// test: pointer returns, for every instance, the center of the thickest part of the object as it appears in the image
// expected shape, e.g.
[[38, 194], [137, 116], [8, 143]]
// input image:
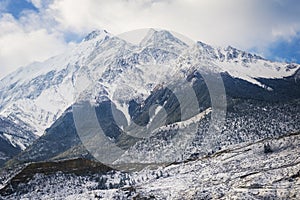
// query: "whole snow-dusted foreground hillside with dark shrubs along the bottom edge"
[[267, 169]]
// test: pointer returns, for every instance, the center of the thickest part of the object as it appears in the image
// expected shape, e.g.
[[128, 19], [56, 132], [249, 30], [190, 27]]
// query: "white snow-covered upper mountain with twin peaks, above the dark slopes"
[[39, 93]]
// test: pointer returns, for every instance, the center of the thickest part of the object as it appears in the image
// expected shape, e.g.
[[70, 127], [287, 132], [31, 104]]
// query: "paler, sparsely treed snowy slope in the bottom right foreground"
[[244, 171]]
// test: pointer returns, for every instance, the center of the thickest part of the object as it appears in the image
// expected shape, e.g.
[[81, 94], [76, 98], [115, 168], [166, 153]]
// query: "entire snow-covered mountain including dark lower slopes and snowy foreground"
[[117, 77]]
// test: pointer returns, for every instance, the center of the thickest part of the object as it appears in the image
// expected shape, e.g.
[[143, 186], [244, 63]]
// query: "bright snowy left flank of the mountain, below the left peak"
[[37, 94]]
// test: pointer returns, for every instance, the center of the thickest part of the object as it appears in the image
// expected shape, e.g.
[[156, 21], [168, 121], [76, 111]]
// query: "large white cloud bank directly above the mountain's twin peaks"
[[238, 22]]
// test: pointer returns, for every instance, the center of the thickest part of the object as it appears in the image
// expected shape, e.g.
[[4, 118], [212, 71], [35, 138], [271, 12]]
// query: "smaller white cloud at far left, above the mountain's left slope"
[[22, 44]]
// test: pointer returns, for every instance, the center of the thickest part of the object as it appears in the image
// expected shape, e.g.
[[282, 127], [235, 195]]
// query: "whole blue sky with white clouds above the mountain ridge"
[[34, 30]]
